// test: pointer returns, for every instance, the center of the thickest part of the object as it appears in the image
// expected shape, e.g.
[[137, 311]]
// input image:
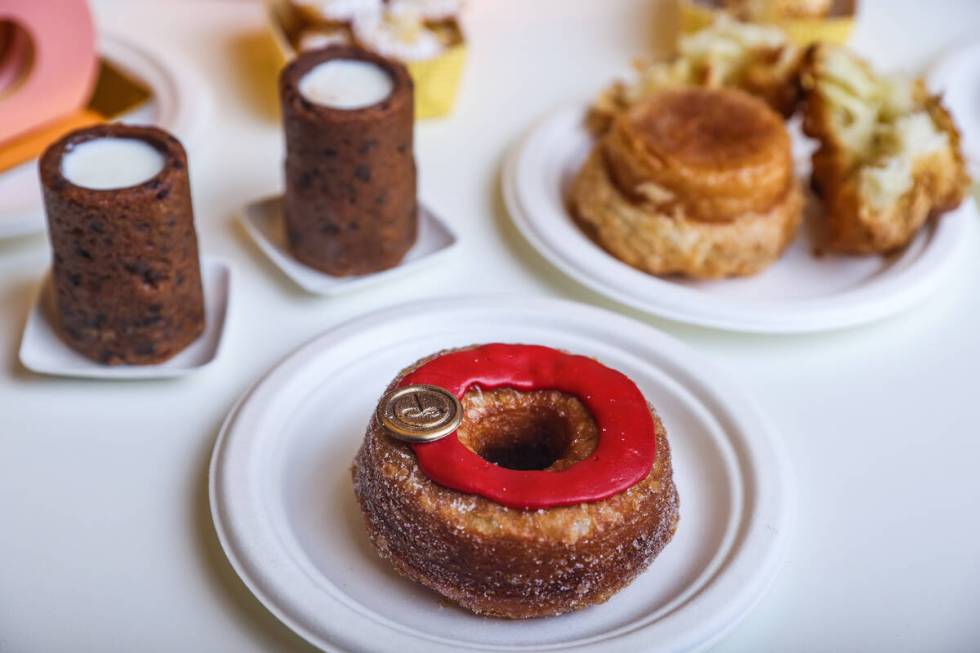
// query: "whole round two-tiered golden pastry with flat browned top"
[[694, 182]]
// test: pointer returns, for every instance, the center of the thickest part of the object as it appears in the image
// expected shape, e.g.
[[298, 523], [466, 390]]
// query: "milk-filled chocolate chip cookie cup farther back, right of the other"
[[350, 202]]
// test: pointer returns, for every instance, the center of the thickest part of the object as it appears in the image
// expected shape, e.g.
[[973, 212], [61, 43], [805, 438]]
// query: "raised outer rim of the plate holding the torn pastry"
[[844, 310]]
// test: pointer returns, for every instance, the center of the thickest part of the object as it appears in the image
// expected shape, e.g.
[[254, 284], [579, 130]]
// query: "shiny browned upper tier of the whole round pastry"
[[713, 154]]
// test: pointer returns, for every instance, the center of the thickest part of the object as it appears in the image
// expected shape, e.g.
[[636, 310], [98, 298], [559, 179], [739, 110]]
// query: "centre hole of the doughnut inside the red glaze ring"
[[538, 430]]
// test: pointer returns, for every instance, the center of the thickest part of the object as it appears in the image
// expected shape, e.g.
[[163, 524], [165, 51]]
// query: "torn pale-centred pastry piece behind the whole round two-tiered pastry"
[[758, 59]]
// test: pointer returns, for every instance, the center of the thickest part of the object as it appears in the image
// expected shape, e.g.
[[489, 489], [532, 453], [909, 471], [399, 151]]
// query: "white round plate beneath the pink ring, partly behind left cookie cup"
[[179, 104]]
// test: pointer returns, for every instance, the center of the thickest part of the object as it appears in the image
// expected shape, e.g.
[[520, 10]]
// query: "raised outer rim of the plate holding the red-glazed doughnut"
[[766, 507]]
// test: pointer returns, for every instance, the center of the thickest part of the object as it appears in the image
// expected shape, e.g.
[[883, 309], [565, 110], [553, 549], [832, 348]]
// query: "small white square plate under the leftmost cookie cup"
[[42, 351]]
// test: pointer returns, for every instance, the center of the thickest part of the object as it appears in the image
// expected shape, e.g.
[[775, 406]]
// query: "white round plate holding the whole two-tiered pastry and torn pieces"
[[800, 293]]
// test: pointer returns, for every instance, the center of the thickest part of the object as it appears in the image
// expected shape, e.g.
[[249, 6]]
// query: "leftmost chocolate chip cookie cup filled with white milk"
[[126, 279]]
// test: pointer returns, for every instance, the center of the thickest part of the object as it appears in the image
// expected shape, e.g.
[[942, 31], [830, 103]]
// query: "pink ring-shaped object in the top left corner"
[[57, 46]]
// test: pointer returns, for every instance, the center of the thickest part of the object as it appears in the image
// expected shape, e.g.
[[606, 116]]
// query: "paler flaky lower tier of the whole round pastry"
[[674, 244]]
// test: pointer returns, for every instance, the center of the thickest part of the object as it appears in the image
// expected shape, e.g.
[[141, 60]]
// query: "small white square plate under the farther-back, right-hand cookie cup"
[[263, 222]]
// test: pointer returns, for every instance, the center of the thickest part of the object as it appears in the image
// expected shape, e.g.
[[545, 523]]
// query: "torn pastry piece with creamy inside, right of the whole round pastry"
[[889, 155]]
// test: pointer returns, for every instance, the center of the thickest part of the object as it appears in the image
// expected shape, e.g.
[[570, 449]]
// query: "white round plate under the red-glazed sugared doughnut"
[[286, 515]]
